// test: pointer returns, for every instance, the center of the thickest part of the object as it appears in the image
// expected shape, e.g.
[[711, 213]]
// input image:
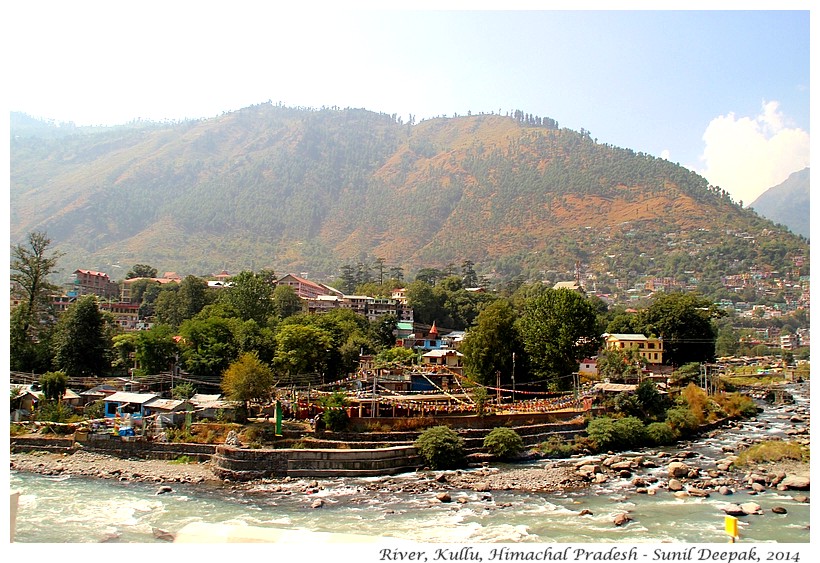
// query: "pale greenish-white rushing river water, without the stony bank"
[[77, 510]]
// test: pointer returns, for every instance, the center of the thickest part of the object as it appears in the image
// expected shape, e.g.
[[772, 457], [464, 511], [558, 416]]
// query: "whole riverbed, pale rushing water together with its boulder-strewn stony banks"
[[676, 494]]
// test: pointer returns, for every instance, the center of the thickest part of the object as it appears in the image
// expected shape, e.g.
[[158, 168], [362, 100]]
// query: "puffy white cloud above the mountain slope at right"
[[748, 155]]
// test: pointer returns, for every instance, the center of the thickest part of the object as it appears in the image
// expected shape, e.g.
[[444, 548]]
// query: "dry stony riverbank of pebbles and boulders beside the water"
[[683, 470]]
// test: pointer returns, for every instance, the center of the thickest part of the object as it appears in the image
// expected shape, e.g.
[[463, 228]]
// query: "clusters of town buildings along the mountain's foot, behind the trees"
[[759, 294]]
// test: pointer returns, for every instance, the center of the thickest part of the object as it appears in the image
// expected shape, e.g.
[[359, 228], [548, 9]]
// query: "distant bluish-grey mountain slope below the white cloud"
[[788, 203]]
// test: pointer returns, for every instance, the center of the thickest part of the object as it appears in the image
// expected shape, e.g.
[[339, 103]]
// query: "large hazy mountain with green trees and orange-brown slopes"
[[296, 189]]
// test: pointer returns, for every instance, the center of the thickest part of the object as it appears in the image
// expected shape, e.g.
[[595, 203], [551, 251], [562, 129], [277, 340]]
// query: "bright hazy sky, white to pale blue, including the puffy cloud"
[[725, 93]]
